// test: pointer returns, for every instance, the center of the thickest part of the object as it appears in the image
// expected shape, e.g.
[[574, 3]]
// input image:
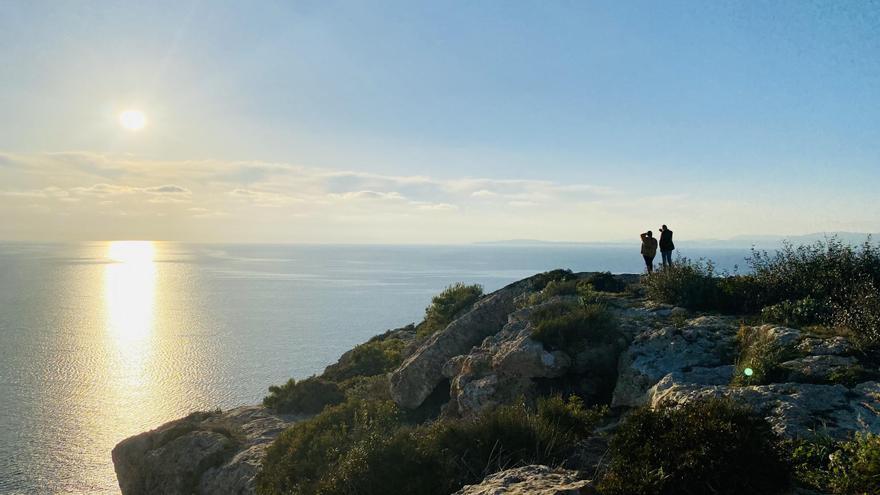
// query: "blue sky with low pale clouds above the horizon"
[[437, 122]]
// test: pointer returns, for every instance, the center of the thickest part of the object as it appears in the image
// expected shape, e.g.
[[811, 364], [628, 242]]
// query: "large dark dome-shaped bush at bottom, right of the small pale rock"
[[712, 446]]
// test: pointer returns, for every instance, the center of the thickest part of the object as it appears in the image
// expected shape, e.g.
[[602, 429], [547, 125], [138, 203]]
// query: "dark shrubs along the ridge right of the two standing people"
[[828, 282]]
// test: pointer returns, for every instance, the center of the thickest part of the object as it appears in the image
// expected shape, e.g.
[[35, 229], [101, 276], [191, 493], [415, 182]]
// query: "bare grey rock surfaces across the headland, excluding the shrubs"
[[661, 356]]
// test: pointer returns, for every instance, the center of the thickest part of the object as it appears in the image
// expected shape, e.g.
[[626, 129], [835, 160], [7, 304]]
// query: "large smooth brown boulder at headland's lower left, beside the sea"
[[205, 452]]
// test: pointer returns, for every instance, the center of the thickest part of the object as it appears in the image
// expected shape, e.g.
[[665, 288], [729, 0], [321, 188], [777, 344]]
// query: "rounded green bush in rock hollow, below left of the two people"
[[569, 327]]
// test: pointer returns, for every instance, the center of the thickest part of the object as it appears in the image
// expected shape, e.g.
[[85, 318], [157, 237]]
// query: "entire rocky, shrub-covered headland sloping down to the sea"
[[684, 381]]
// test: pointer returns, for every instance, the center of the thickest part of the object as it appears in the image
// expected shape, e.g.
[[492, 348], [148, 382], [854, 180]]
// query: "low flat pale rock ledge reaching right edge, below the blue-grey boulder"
[[794, 410]]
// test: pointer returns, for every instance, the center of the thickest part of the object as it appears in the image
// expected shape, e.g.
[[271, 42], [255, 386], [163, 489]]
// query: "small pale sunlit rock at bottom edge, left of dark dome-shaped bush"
[[531, 480]]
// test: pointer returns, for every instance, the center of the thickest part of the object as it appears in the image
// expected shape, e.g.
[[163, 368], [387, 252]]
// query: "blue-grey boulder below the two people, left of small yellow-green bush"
[[702, 343]]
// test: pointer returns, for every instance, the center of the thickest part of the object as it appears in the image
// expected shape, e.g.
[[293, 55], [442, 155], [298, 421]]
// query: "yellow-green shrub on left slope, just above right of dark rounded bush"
[[377, 356]]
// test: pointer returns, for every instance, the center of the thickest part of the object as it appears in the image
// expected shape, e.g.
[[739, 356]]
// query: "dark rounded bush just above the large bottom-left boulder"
[[309, 396]]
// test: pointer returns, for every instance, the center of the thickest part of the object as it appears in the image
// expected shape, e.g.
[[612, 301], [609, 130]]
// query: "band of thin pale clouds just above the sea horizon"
[[75, 196]]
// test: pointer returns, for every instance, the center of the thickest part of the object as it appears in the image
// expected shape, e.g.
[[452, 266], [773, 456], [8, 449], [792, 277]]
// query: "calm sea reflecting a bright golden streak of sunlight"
[[99, 341]]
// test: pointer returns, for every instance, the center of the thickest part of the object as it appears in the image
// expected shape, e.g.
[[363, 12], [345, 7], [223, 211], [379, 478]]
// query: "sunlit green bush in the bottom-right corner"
[[848, 467]]
